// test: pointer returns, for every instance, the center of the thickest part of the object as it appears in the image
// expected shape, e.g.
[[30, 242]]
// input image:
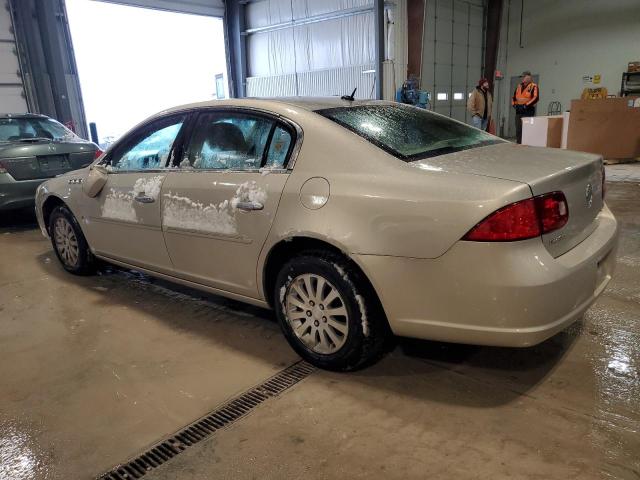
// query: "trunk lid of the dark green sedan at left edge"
[[44, 159]]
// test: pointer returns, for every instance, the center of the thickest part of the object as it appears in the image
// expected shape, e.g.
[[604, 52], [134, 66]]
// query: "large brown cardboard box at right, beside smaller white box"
[[610, 127]]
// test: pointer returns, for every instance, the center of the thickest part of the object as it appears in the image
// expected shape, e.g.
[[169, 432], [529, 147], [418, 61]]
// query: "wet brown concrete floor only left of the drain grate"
[[93, 369]]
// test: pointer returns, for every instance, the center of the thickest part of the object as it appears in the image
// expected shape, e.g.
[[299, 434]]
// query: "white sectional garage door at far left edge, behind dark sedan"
[[12, 97]]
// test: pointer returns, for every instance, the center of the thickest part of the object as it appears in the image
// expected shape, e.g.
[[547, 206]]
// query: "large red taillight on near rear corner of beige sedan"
[[521, 220]]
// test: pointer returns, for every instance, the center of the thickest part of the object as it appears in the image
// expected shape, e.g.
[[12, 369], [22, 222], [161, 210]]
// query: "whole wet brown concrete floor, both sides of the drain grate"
[[95, 369]]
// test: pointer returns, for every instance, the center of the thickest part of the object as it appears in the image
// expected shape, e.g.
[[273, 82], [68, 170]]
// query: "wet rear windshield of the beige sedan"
[[409, 133]]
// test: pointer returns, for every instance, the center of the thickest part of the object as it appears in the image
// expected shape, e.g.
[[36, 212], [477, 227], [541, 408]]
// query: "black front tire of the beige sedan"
[[83, 262]]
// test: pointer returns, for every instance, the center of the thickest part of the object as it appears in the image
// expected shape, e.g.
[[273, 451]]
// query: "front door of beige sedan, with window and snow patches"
[[123, 222]]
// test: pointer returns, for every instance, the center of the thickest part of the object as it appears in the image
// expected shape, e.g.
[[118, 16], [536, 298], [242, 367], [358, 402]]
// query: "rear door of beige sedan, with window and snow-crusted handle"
[[219, 205]]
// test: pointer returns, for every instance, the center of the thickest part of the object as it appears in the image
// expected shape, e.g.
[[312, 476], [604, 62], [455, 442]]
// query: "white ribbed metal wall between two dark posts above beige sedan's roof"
[[302, 47]]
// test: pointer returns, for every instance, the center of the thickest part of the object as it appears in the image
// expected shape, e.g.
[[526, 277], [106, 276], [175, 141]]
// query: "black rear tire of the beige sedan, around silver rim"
[[368, 331]]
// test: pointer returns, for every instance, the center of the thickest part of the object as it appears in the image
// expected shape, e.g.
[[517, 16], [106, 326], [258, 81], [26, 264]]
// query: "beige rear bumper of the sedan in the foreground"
[[503, 294]]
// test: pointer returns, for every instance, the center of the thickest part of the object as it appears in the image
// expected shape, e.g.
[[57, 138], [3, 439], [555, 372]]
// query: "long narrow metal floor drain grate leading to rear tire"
[[165, 450]]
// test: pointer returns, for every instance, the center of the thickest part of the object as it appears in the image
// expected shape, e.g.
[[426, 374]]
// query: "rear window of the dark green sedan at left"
[[29, 129]]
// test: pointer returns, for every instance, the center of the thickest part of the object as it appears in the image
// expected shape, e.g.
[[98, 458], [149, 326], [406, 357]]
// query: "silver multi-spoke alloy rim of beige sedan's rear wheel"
[[317, 313]]
